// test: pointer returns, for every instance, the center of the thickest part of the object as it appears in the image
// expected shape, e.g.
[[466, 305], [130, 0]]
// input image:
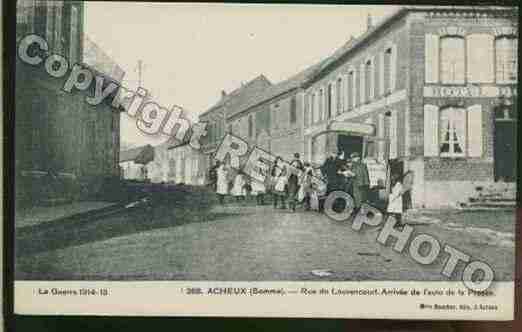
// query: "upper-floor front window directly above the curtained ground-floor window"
[[452, 50]]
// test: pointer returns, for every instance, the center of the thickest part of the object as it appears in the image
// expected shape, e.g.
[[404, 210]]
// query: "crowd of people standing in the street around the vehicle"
[[292, 183]]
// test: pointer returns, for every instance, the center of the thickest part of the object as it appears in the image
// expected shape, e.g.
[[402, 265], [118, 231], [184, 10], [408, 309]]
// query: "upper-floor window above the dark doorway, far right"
[[506, 49]]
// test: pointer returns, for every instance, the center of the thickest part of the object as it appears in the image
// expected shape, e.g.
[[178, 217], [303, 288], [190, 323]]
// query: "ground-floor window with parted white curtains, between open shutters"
[[452, 132]]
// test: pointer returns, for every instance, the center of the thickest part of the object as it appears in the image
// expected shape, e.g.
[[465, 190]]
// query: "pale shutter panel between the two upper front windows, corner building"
[[480, 58]]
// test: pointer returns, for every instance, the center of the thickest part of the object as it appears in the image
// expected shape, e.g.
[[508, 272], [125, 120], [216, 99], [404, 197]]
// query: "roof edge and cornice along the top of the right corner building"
[[354, 43]]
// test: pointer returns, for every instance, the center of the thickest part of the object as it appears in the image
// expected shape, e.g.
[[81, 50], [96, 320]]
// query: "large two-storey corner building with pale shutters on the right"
[[438, 85]]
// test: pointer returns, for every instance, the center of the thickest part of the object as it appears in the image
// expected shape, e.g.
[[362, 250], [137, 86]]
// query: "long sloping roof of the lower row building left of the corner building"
[[246, 102]]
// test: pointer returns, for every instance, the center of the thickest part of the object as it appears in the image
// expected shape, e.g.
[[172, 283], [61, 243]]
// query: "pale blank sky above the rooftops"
[[190, 52]]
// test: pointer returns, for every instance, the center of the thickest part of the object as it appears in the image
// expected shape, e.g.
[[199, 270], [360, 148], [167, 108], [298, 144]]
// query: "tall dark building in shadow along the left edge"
[[56, 131]]
